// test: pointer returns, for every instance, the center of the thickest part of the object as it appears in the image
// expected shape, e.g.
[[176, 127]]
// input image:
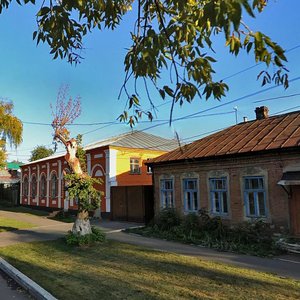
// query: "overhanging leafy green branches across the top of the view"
[[176, 36]]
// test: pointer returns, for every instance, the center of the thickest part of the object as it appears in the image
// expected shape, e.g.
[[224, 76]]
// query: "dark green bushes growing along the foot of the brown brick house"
[[255, 237]]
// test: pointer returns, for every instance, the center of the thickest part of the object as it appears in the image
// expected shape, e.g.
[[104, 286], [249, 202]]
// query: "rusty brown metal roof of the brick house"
[[272, 133]]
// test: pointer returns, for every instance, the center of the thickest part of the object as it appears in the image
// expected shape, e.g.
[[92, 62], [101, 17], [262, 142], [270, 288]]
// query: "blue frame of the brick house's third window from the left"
[[220, 191]]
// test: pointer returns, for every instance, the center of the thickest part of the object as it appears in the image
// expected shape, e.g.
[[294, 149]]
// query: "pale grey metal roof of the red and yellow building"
[[133, 140]]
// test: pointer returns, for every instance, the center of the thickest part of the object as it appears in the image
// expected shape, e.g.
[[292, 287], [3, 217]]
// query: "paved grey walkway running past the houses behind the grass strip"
[[286, 266]]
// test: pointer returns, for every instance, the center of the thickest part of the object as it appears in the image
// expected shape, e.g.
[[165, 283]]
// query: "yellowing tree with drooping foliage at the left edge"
[[11, 129]]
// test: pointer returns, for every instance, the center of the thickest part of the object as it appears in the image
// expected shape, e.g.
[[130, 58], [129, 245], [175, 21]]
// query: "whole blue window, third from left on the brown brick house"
[[218, 195]]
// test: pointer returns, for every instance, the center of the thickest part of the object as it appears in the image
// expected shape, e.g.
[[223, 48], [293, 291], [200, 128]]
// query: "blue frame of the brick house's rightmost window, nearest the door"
[[255, 192]]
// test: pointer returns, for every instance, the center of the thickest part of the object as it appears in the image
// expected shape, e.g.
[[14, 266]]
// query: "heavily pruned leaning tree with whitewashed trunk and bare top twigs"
[[80, 185]]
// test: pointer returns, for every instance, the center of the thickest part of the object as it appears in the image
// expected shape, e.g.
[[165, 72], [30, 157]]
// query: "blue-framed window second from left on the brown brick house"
[[190, 195]]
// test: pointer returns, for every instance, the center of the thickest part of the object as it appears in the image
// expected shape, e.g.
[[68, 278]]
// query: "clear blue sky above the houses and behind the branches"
[[31, 79]]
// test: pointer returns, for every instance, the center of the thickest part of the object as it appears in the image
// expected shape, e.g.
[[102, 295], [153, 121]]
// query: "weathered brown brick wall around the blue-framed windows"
[[271, 166]]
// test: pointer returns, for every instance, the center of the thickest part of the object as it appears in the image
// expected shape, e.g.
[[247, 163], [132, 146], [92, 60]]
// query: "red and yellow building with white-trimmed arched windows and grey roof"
[[118, 161]]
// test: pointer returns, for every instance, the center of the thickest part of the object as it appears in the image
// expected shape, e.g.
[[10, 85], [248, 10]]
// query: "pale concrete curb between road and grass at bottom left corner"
[[25, 282]]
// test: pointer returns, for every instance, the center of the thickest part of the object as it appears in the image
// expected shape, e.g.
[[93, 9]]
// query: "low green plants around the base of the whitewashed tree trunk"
[[85, 240]]
